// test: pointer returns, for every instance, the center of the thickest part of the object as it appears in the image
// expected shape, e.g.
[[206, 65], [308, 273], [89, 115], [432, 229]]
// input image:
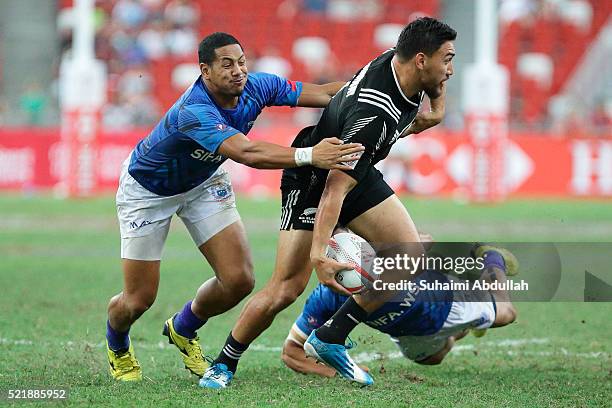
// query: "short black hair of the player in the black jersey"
[[424, 35]]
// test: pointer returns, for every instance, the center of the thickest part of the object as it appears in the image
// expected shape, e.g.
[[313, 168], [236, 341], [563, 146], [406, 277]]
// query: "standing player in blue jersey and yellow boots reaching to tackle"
[[175, 170]]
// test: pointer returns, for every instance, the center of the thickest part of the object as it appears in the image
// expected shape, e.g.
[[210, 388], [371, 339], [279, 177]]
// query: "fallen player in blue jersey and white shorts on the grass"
[[424, 324]]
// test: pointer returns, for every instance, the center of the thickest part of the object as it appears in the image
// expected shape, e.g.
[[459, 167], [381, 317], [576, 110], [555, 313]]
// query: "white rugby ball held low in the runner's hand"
[[349, 248]]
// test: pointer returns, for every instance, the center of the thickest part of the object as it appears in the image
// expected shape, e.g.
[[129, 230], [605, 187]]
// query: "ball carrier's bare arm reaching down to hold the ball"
[[337, 186]]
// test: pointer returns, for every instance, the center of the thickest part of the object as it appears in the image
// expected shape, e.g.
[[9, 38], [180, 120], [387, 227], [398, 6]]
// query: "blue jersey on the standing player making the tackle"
[[181, 151]]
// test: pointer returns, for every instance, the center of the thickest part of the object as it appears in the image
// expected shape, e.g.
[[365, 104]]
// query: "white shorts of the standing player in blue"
[[144, 217]]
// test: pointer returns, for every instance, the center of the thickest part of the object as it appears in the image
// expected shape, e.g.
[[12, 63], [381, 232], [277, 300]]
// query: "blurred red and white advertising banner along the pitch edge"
[[433, 163]]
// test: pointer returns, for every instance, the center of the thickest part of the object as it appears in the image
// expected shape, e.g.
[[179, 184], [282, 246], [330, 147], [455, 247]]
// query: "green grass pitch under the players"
[[59, 266]]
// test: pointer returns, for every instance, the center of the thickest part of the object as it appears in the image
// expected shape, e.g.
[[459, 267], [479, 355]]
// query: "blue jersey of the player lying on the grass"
[[417, 313]]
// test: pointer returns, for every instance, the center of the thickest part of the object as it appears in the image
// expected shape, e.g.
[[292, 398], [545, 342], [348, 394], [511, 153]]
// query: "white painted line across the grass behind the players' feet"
[[506, 347]]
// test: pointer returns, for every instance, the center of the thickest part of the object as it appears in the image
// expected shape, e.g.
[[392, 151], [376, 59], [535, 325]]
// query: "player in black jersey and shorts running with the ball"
[[376, 108]]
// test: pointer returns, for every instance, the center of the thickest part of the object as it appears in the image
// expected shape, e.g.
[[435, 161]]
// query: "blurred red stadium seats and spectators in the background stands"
[[148, 47]]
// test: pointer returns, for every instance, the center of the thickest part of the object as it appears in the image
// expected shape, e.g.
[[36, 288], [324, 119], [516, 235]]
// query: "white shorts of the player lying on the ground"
[[462, 316]]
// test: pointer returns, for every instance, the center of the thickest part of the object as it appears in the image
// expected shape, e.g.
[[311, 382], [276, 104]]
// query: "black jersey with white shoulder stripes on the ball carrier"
[[371, 109]]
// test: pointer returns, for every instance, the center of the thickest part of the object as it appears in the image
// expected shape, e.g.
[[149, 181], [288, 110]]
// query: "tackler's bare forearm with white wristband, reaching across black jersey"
[[329, 153]]
